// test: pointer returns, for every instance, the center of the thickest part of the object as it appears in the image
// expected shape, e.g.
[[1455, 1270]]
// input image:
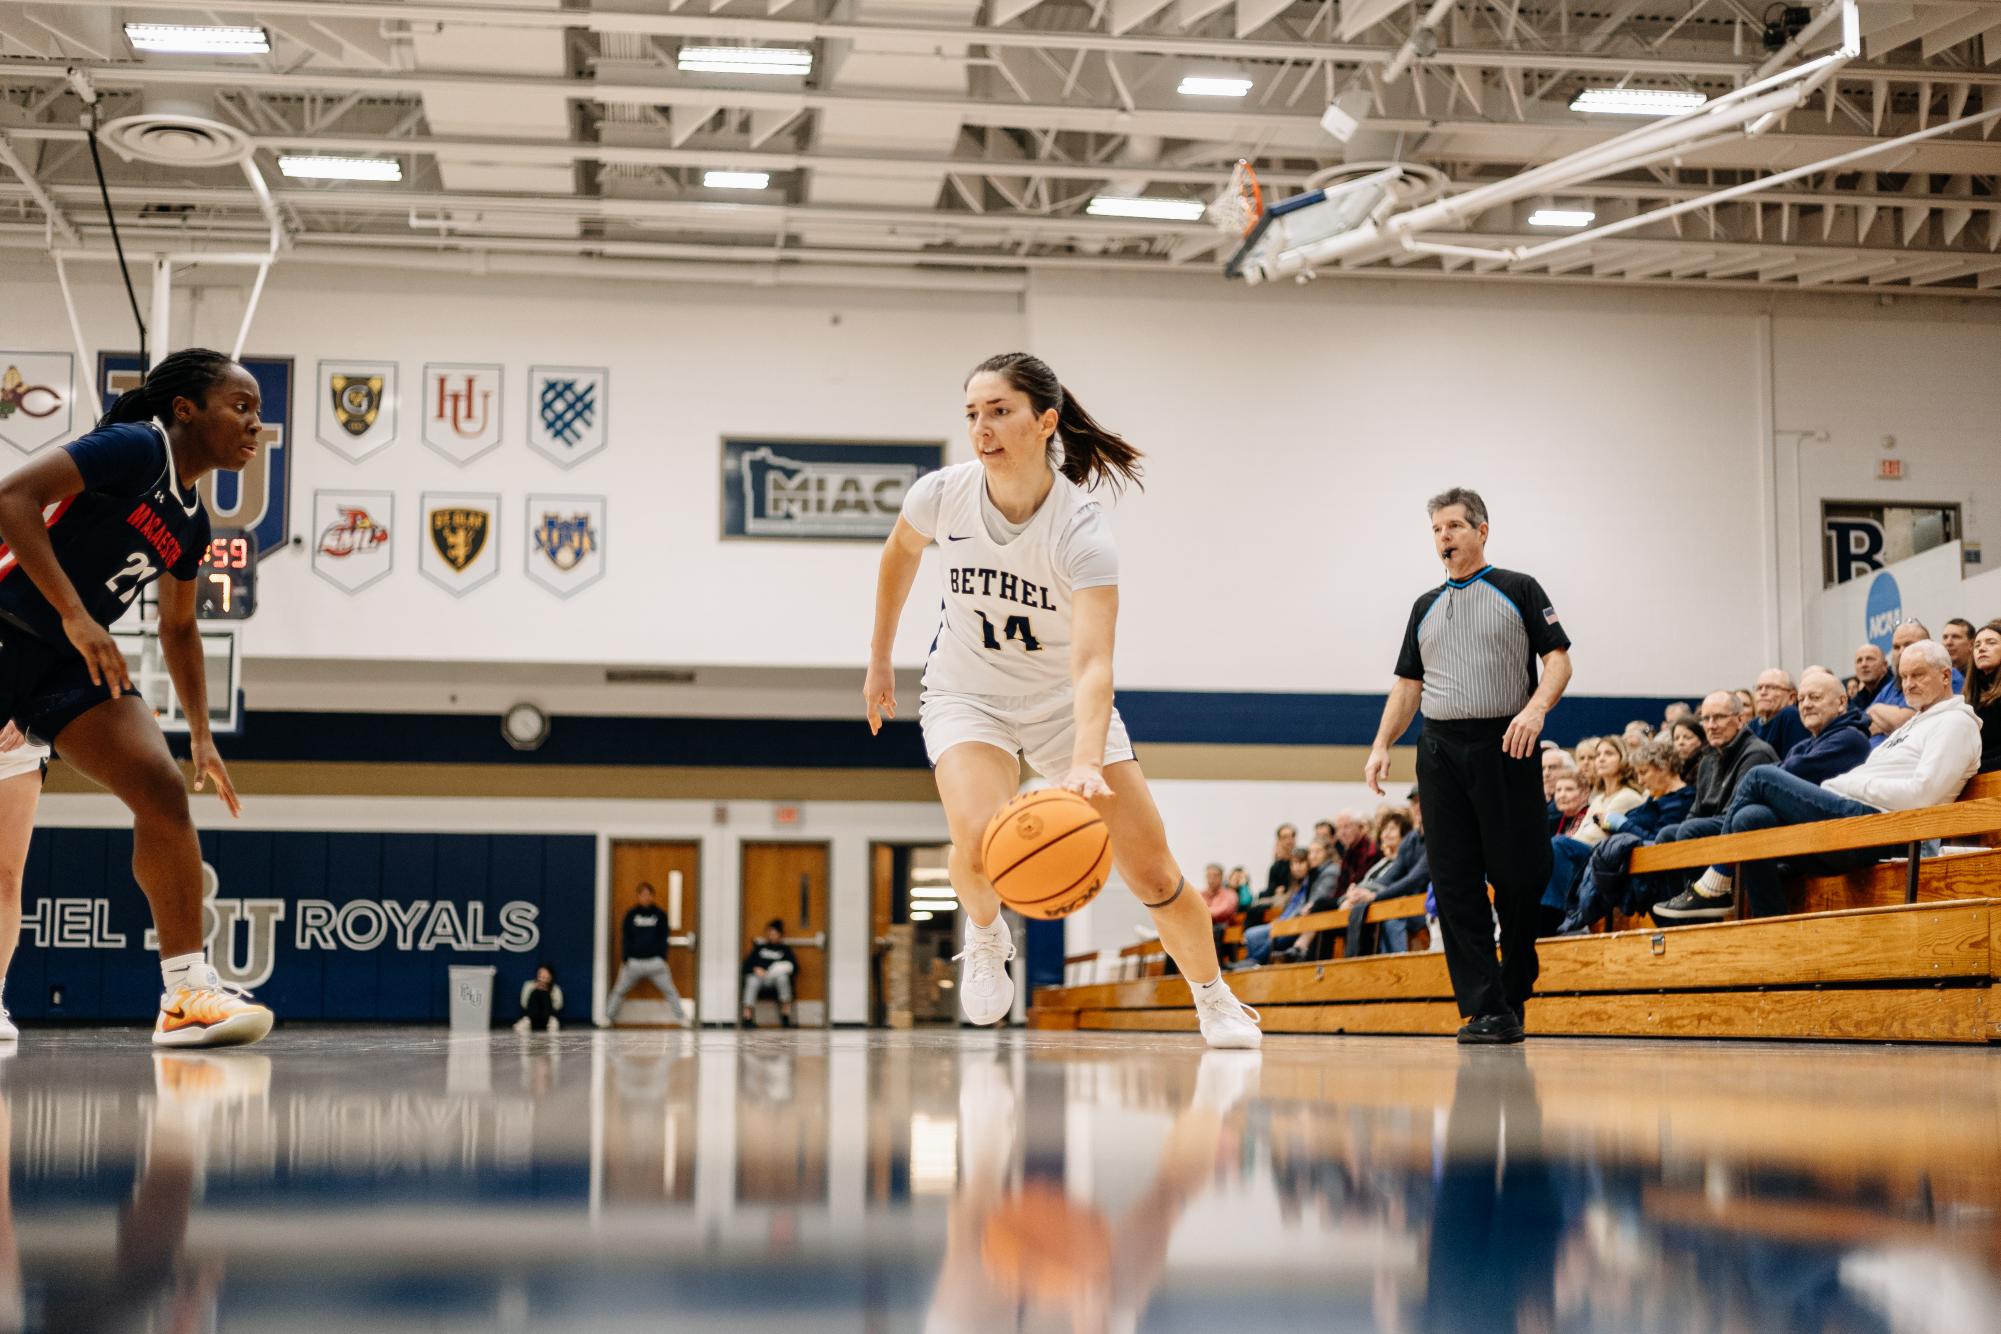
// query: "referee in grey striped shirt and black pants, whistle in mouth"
[[1470, 657]]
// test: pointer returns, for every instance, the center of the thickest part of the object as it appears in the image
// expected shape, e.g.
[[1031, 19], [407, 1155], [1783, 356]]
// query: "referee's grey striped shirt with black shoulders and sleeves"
[[1476, 643]]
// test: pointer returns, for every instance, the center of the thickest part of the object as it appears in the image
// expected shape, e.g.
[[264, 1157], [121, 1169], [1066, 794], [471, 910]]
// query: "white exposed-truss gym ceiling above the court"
[[965, 139]]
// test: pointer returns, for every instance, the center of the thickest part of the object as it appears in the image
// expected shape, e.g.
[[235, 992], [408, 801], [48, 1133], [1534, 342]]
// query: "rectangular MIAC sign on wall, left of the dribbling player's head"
[[817, 491]]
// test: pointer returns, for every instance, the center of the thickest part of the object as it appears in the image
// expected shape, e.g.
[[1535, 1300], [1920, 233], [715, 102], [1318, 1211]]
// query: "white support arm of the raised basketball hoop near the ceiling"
[[1744, 113]]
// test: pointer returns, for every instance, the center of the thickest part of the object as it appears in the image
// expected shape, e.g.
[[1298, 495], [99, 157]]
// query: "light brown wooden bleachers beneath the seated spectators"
[[1898, 953]]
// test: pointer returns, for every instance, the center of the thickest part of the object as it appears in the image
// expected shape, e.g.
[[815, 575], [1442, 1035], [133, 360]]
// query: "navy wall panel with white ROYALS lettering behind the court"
[[319, 925]]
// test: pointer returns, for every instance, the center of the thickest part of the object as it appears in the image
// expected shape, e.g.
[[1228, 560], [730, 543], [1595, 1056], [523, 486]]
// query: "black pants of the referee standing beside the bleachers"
[[1484, 825]]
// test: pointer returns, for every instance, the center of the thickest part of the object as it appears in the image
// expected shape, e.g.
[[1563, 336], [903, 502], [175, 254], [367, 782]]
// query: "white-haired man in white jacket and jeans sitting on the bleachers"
[[1924, 763]]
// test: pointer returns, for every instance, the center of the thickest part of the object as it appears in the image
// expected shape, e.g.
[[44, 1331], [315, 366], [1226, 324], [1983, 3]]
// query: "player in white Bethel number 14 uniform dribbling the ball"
[[1024, 665]]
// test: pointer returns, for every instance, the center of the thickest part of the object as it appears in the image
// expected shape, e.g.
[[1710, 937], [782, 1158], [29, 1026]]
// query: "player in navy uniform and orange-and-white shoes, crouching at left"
[[83, 531]]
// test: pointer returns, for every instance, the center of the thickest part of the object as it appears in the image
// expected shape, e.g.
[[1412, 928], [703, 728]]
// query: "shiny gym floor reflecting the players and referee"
[[957, 1181]]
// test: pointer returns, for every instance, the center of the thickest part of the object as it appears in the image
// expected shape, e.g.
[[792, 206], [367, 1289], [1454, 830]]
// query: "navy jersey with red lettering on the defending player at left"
[[131, 525]]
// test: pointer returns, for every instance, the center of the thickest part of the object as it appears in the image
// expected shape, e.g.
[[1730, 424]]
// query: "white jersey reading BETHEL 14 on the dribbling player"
[[1008, 607]]
